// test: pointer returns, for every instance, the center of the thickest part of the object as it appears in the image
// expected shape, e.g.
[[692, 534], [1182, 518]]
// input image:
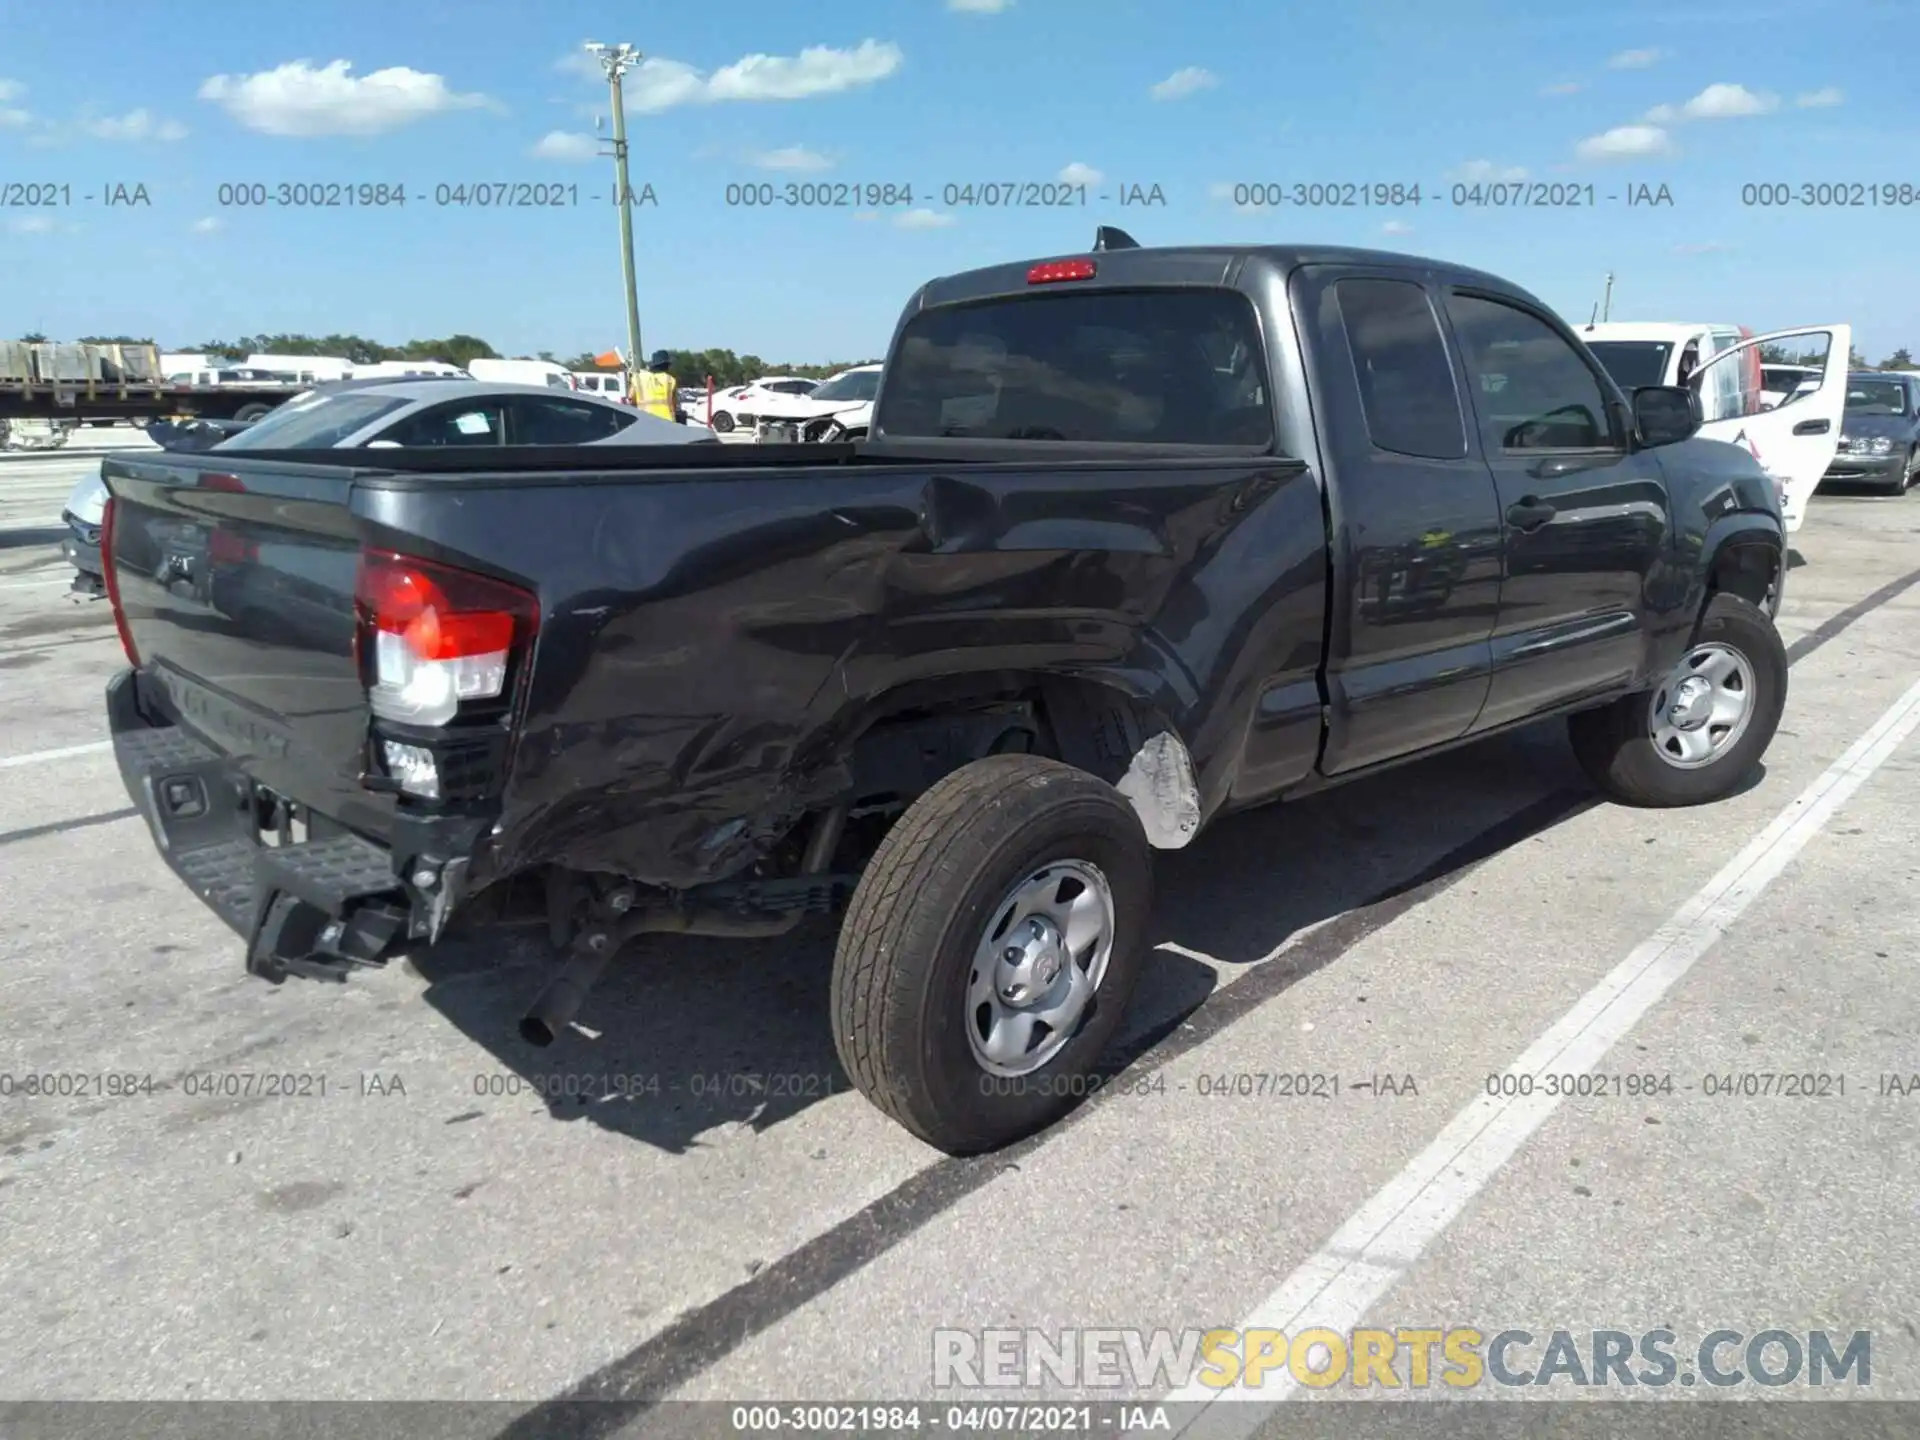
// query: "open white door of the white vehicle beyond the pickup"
[[1798, 439]]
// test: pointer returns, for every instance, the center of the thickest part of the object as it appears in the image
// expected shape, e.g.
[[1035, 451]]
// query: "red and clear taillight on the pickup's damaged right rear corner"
[[437, 635]]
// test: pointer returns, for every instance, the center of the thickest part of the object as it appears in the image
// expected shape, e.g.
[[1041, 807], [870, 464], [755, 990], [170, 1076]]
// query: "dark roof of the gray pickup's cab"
[[1191, 266]]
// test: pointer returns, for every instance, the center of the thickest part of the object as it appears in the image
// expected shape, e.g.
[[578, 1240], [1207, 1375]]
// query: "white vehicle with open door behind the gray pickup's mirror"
[[1794, 437]]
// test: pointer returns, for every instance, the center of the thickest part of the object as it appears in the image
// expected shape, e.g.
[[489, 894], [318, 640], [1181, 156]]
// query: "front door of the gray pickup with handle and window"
[[1583, 514]]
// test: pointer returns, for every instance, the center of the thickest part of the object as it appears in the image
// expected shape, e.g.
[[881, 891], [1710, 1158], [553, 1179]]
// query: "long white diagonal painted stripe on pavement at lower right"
[[1387, 1236]]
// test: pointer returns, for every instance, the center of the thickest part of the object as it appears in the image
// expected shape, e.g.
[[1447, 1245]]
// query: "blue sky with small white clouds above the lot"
[[185, 97]]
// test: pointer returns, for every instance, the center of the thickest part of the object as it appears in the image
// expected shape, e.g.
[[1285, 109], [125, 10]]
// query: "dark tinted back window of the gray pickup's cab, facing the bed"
[[1161, 368]]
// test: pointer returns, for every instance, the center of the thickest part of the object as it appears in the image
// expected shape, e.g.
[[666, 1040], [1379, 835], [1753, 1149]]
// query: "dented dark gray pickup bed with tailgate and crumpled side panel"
[[709, 625]]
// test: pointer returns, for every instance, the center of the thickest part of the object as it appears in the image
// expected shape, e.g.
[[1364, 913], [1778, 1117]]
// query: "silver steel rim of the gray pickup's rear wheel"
[[1038, 967]]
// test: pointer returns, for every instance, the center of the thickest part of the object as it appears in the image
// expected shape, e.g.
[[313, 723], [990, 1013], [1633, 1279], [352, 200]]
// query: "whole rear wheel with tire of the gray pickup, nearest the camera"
[[990, 951]]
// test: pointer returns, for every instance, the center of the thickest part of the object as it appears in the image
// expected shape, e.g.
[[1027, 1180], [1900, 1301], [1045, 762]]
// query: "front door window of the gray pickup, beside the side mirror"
[[1531, 387]]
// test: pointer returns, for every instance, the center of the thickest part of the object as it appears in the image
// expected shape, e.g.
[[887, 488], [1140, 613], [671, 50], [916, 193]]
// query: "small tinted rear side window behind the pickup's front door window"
[[1401, 362]]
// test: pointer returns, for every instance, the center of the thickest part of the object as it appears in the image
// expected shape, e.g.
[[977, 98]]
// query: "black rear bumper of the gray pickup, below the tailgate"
[[316, 907]]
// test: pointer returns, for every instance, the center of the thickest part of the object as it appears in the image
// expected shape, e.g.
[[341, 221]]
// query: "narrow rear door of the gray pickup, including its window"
[[1416, 519]]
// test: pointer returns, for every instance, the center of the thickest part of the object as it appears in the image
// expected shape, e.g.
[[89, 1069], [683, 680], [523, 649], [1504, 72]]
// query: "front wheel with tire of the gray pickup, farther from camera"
[[1698, 734]]
